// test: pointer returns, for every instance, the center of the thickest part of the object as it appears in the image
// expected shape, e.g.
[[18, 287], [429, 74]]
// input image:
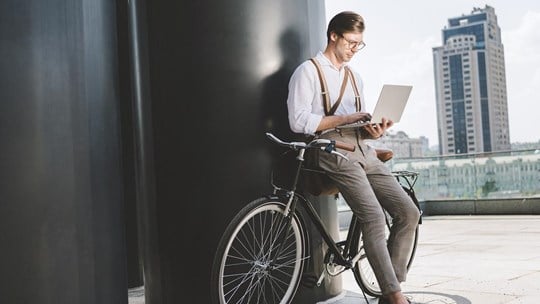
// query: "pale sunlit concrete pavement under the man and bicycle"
[[463, 260]]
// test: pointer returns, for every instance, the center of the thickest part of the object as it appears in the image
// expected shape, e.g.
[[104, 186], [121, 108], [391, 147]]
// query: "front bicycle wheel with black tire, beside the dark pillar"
[[243, 271]]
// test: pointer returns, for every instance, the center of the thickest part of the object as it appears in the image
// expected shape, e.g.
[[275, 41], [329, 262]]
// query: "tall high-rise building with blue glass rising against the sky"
[[470, 85]]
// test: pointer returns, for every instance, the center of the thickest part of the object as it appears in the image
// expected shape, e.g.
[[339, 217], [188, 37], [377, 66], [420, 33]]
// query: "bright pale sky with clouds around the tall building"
[[399, 38]]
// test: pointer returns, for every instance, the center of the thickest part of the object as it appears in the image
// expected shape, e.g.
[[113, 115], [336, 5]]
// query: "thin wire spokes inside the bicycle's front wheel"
[[257, 267]]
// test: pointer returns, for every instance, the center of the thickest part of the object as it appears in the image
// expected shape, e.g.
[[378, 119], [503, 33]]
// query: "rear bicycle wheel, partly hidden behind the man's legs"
[[364, 274]]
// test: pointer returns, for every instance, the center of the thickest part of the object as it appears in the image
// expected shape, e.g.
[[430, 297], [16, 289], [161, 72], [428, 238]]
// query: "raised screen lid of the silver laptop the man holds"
[[391, 103]]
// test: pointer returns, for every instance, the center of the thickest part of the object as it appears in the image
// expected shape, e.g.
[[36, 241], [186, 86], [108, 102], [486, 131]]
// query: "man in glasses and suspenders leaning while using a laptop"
[[363, 180]]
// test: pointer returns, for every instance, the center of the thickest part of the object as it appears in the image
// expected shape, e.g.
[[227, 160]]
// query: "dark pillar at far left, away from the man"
[[61, 209]]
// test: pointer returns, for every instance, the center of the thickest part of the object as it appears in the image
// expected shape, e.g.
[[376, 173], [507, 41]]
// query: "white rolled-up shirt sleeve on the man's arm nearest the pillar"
[[303, 94]]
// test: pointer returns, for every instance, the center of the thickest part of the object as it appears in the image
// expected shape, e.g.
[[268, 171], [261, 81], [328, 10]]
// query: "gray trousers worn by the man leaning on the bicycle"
[[366, 183]]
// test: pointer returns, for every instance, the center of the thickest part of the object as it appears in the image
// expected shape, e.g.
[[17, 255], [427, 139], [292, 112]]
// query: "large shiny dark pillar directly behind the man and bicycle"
[[217, 75]]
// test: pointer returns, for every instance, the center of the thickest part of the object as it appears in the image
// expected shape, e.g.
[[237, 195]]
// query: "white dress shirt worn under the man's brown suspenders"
[[304, 102]]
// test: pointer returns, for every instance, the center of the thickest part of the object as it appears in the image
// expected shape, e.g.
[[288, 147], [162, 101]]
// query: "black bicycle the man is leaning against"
[[260, 256]]
